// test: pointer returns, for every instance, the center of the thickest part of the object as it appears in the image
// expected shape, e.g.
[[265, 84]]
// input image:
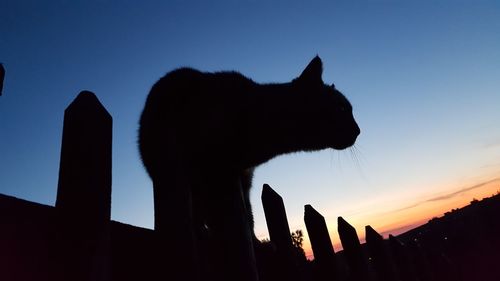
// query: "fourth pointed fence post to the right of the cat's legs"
[[381, 260]]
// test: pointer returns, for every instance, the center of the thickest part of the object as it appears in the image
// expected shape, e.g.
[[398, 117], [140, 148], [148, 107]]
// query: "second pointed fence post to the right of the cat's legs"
[[324, 254]]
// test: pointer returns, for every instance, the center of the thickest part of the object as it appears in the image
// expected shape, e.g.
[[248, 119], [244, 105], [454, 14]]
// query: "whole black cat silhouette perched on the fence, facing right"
[[199, 127]]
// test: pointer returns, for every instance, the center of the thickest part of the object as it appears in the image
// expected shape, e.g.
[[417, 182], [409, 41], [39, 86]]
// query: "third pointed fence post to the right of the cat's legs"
[[355, 258]]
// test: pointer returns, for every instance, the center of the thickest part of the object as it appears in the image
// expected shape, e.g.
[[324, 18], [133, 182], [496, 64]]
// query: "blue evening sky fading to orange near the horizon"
[[422, 76]]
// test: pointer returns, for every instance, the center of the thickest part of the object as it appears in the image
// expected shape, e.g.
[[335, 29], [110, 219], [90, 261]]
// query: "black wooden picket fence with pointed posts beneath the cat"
[[83, 244]]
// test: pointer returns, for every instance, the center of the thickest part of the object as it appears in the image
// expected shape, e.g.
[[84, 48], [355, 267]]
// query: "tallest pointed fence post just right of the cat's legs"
[[279, 232]]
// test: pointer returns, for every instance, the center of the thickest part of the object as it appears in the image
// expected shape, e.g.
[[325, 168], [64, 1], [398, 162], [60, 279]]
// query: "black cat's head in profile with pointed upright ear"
[[325, 111]]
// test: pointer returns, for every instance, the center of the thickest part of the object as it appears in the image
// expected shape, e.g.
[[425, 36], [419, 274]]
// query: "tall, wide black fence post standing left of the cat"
[[83, 200]]
